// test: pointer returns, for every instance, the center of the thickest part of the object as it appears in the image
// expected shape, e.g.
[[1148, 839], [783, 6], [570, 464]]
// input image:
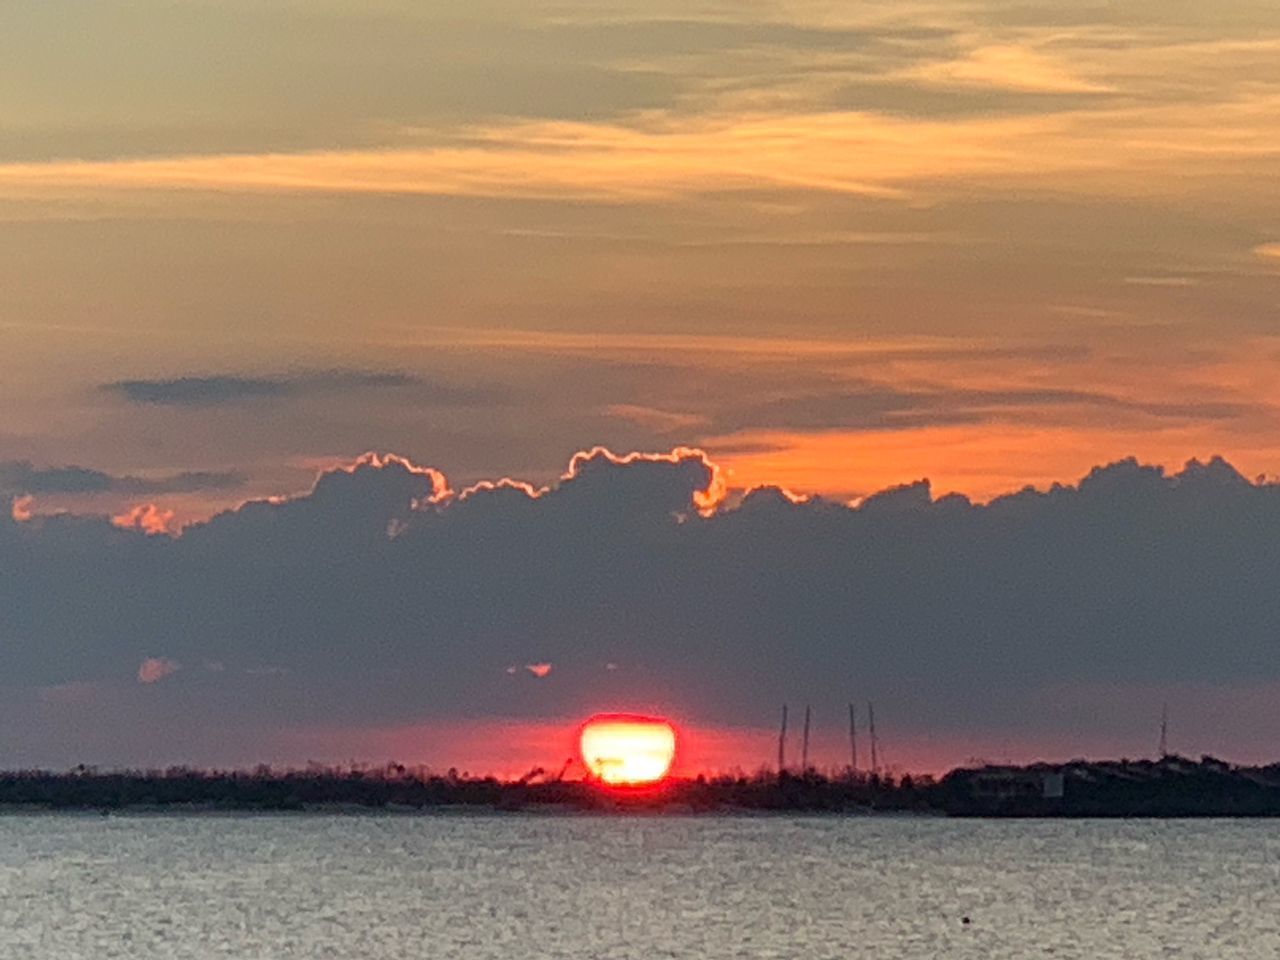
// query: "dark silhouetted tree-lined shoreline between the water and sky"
[[1171, 788]]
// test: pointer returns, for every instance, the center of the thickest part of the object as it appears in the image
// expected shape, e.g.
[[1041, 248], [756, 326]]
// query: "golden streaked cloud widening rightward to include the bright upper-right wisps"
[[833, 132]]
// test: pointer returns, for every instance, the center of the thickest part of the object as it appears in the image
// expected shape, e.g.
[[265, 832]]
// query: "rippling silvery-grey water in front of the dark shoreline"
[[79, 888]]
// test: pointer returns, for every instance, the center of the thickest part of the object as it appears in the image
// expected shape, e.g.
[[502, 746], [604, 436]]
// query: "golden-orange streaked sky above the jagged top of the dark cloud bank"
[[839, 246]]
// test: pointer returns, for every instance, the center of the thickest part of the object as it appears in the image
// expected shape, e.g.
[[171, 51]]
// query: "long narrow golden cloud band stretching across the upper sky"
[[858, 153]]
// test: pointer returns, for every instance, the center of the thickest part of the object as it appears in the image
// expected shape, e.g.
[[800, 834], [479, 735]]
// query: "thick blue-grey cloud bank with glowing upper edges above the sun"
[[382, 597]]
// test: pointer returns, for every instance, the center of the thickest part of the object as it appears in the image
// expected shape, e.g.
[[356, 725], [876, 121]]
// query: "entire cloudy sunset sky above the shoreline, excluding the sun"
[[1026, 252]]
